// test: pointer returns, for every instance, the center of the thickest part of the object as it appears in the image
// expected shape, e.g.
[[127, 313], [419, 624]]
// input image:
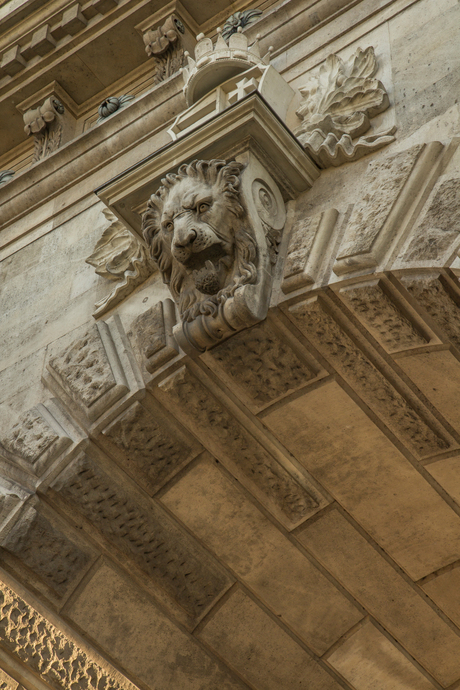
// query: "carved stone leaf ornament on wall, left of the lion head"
[[118, 255]]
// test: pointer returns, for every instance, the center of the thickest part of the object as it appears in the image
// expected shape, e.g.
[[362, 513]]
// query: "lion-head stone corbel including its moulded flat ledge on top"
[[213, 224]]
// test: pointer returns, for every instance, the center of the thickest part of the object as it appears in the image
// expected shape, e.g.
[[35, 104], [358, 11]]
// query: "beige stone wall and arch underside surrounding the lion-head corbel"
[[282, 511]]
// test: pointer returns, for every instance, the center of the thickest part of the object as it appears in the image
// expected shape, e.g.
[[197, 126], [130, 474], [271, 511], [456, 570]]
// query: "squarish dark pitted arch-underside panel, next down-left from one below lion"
[[151, 450]]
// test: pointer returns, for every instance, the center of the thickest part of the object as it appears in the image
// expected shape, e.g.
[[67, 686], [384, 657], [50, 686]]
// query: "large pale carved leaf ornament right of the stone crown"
[[337, 107]]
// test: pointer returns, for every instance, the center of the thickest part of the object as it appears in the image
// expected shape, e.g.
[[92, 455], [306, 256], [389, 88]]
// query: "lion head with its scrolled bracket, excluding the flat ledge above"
[[213, 229]]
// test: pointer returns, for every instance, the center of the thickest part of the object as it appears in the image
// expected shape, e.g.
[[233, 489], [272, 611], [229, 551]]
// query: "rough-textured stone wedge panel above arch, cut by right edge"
[[439, 226]]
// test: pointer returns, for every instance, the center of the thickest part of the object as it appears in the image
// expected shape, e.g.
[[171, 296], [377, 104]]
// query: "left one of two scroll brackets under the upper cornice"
[[45, 124]]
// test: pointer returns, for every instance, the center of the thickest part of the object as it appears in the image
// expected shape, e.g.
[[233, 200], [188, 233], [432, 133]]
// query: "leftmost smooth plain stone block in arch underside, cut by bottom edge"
[[129, 627]]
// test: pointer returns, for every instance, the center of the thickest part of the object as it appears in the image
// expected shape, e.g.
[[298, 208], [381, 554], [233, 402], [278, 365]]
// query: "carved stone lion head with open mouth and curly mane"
[[200, 236]]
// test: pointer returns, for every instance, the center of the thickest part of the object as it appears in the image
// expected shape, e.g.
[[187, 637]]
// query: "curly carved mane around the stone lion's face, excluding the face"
[[226, 176]]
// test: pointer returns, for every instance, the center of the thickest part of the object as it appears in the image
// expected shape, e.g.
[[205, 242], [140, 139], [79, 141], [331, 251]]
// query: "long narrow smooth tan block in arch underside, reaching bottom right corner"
[[385, 594]]
